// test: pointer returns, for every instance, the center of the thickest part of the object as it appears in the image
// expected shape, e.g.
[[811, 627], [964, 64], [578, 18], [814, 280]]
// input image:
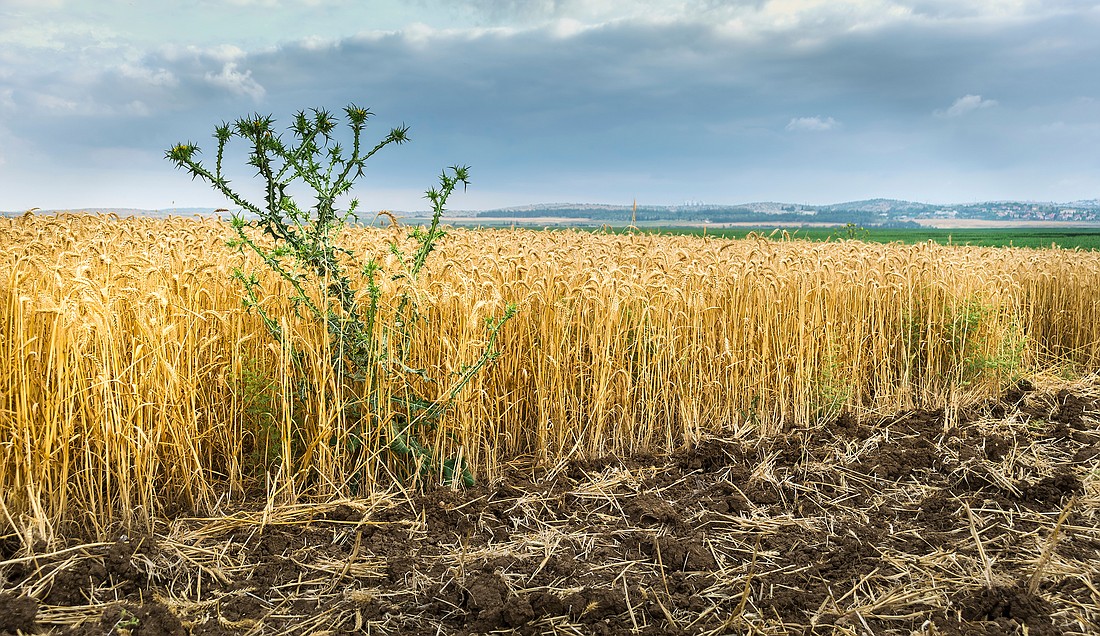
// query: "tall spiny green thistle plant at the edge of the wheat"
[[325, 277]]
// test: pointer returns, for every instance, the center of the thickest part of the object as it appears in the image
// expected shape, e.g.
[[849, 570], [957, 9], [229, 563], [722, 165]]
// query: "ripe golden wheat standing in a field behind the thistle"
[[135, 386]]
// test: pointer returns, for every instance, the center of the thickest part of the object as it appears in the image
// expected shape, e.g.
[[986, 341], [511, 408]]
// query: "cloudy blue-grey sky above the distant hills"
[[663, 102]]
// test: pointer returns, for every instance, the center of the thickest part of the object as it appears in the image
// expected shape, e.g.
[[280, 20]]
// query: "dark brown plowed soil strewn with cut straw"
[[982, 522]]
